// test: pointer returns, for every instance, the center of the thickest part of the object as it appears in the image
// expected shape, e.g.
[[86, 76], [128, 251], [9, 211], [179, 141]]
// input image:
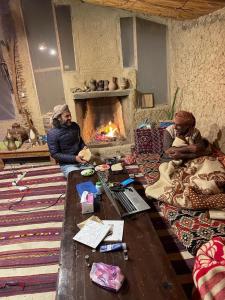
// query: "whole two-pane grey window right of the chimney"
[[151, 53]]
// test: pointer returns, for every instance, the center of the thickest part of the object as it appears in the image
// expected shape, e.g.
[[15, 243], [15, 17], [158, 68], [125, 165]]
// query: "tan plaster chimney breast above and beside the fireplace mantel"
[[97, 47]]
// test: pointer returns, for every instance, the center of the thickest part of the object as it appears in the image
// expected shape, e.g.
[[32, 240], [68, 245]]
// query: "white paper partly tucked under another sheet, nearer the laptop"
[[117, 230]]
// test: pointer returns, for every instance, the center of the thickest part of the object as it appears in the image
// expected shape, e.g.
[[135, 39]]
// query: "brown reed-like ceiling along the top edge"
[[177, 9]]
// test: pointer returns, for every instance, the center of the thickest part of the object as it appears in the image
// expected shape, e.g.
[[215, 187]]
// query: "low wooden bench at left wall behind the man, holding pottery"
[[26, 151]]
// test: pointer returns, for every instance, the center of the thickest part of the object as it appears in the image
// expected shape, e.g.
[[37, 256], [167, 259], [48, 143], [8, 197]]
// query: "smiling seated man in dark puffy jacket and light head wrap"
[[64, 140]]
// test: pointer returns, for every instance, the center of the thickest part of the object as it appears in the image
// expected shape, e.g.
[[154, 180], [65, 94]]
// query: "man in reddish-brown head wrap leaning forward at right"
[[184, 128]]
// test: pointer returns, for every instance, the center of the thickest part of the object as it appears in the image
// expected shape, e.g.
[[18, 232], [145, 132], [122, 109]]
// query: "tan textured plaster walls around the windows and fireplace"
[[195, 61]]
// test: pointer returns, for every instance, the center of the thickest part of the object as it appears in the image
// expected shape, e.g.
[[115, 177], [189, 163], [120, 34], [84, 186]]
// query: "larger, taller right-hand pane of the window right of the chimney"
[[152, 60]]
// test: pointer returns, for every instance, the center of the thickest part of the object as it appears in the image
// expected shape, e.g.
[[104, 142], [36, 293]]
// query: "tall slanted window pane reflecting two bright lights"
[[41, 35]]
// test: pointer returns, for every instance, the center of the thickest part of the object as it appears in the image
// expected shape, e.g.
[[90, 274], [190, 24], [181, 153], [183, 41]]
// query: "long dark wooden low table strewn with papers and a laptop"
[[148, 272]]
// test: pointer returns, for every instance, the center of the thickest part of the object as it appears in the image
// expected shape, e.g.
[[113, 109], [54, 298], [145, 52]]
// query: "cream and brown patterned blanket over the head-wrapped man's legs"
[[196, 184]]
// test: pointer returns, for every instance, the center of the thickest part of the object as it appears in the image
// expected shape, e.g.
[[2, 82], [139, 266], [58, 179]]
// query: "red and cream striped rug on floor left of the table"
[[30, 232]]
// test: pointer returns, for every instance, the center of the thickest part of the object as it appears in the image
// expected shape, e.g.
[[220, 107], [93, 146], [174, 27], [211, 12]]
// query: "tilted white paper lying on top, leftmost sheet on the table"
[[92, 233]]
